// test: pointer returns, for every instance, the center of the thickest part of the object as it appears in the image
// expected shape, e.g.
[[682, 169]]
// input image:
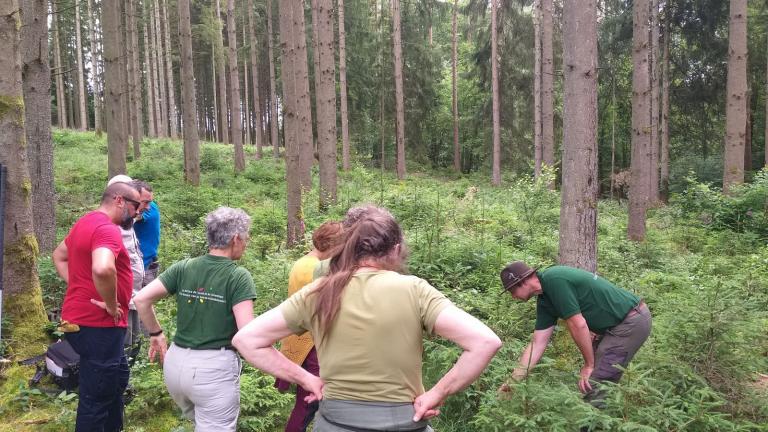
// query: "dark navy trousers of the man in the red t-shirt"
[[103, 378]]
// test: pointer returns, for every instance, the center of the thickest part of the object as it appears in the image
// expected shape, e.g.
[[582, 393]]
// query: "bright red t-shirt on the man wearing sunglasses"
[[94, 230]]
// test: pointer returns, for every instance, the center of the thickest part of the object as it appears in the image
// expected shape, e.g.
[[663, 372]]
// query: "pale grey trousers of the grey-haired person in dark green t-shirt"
[[205, 384]]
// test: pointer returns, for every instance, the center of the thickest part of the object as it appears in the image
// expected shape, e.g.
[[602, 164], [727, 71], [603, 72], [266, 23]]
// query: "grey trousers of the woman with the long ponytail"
[[360, 416]]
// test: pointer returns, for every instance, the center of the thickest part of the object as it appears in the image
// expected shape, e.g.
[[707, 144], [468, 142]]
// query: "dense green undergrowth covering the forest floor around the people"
[[703, 270]]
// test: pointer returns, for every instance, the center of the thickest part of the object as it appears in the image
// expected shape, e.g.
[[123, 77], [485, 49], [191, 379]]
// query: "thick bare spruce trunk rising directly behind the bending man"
[[578, 211]]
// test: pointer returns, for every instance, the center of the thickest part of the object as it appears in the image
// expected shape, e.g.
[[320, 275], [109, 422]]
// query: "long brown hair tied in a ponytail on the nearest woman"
[[372, 238]]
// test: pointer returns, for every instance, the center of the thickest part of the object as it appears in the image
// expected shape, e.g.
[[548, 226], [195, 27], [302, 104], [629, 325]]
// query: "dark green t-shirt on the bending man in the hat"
[[568, 291]]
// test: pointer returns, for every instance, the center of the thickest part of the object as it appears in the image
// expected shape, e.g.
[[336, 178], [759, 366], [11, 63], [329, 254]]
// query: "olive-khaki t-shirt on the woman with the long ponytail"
[[373, 351]]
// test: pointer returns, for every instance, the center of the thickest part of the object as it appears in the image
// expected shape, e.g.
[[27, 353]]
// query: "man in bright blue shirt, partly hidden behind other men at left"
[[147, 229]]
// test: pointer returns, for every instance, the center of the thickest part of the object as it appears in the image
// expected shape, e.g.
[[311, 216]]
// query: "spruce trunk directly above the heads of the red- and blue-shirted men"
[[113, 79]]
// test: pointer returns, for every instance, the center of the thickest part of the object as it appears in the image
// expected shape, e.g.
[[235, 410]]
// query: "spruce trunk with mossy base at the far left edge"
[[22, 297]]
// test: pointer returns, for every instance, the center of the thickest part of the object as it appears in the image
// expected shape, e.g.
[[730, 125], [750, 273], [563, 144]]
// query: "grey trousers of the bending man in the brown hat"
[[617, 347]]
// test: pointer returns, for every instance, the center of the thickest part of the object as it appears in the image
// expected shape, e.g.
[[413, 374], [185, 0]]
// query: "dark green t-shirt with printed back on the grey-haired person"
[[206, 289]]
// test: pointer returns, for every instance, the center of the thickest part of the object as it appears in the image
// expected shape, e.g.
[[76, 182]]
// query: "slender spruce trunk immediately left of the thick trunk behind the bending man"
[[547, 78]]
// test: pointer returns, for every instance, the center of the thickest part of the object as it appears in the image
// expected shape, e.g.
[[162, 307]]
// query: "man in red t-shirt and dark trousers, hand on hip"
[[95, 265]]
